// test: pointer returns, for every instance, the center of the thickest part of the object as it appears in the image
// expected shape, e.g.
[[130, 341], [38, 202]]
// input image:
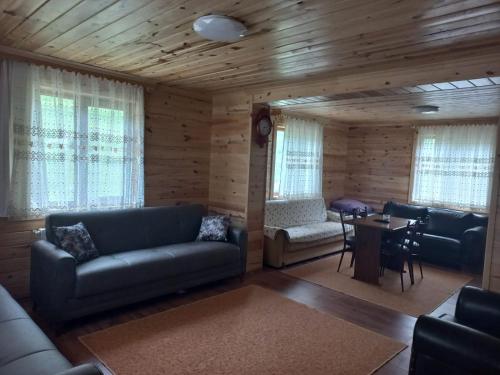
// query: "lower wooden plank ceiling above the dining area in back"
[[458, 99]]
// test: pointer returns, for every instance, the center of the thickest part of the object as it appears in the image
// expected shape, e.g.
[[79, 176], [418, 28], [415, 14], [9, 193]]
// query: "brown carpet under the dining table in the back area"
[[421, 298]]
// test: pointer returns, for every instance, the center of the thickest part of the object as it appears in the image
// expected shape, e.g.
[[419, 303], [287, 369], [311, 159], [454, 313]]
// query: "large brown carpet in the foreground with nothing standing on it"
[[251, 330]]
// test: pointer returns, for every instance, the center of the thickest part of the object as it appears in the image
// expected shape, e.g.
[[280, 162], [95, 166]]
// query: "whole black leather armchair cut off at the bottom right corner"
[[465, 344]]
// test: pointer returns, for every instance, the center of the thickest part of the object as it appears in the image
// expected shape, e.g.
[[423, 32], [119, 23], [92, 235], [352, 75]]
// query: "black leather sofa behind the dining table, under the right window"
[[452, 238]]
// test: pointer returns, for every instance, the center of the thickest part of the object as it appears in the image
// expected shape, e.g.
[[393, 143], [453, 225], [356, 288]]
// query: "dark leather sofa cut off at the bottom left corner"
[[24, 348]]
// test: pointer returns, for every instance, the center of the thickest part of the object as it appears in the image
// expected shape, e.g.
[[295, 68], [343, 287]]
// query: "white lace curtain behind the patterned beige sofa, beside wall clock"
[[301, 162]]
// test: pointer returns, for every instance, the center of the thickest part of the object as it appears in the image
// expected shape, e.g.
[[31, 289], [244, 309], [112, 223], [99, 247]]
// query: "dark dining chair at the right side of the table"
[[406, 250]]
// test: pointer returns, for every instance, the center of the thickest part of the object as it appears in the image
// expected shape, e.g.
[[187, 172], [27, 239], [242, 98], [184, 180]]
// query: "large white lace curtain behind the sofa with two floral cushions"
[[76, 141]]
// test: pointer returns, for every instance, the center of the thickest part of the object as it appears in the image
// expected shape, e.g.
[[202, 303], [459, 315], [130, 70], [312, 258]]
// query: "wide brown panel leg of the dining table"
[[367, 264]]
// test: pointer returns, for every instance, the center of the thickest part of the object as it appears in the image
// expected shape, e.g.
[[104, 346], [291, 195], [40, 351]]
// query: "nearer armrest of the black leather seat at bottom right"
[[455, 346]]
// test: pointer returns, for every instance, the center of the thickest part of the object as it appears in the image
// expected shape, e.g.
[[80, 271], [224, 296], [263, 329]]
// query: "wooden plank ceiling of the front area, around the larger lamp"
[[288, 40]]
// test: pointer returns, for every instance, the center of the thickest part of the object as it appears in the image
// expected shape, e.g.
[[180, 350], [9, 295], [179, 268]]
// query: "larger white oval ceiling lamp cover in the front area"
[[219, 28]]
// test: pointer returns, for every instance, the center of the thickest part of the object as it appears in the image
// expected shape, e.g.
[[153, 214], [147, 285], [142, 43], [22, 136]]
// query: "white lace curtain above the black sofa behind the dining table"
[[454, 166]]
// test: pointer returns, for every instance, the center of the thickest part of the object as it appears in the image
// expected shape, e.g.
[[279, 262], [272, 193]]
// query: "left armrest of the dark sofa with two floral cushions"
[[53, 275]]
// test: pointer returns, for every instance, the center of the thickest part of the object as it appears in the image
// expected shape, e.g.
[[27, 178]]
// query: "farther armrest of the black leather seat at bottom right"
[[479, 309]]
